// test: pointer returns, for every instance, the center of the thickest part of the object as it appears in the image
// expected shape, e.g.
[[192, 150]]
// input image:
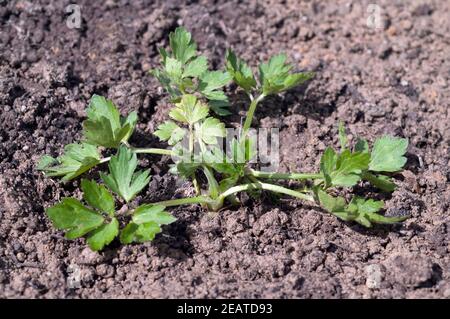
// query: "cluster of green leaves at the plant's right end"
[[349, 167]]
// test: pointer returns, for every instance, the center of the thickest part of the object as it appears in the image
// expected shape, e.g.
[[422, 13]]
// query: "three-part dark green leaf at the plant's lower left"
[[99, 221]]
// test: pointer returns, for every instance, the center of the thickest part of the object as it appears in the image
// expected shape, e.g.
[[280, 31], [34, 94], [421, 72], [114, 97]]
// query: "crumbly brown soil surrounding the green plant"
[[390, 80]]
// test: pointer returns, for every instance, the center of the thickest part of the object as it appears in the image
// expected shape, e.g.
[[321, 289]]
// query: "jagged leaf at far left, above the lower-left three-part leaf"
[[77, 159]]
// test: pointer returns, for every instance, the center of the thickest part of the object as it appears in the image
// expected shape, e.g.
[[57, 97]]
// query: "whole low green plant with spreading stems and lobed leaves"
[[194, 137]]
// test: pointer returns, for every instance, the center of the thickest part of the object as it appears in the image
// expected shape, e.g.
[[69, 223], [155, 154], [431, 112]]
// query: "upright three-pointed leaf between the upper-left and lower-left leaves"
[[122, 179]]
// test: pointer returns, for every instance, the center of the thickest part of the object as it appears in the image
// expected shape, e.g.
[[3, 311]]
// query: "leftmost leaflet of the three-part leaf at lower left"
[[77, 220]]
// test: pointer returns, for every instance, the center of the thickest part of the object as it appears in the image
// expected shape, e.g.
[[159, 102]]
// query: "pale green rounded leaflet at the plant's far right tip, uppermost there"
[[387, 154]]
